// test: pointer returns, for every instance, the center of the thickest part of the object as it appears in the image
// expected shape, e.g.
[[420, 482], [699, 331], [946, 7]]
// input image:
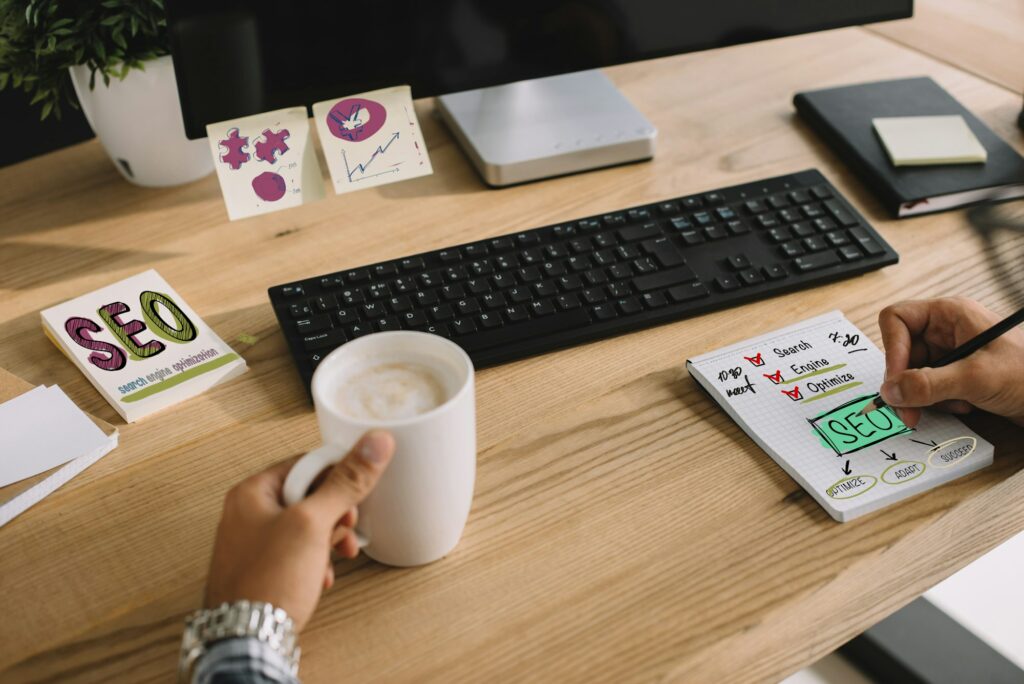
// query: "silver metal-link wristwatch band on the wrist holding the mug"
[[240, 620]]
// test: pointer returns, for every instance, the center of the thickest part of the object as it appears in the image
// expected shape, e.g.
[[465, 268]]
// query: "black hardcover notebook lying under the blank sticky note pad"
[[843, 118]]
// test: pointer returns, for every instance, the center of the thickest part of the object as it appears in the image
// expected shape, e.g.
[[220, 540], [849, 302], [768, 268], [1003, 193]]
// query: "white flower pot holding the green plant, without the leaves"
[[139, 122]]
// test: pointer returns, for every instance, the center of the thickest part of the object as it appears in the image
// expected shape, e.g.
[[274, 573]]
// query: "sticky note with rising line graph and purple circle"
[[372, 140]]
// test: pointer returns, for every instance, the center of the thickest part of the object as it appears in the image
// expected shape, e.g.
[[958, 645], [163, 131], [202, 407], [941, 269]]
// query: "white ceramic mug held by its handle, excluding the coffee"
[[418, 510]]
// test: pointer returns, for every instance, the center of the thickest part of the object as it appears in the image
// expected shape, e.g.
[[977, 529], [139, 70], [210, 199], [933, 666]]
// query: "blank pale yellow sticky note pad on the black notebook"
[[927, 141]]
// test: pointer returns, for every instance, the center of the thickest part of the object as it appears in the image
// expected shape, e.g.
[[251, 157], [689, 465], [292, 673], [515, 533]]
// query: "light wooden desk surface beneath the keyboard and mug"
[[623, 528]]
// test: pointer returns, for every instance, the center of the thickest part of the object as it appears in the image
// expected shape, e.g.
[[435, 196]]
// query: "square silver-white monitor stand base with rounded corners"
[[547, 127]]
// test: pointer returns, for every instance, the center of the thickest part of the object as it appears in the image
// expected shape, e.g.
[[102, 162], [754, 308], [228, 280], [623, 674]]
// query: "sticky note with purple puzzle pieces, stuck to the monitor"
[[266, 162]]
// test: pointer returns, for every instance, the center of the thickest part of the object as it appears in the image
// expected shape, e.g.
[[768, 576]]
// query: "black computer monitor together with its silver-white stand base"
[[238, 58]]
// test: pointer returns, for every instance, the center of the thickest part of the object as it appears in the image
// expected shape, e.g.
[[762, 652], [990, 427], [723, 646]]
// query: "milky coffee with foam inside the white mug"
[[396, 391]]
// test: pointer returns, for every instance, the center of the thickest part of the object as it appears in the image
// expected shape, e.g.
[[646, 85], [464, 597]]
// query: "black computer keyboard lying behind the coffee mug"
[[532, 292]]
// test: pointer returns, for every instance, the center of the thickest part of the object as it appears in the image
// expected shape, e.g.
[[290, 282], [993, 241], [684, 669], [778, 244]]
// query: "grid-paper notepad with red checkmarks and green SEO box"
[[798, 393]]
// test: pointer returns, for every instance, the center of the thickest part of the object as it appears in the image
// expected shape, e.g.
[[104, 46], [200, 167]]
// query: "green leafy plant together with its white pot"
[[114, 56]]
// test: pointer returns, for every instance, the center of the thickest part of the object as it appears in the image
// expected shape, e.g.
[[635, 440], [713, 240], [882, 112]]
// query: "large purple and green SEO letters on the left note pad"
[[109, 357]]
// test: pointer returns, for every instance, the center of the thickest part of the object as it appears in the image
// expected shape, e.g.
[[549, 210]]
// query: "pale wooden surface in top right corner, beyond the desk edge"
[[986, 37]]
